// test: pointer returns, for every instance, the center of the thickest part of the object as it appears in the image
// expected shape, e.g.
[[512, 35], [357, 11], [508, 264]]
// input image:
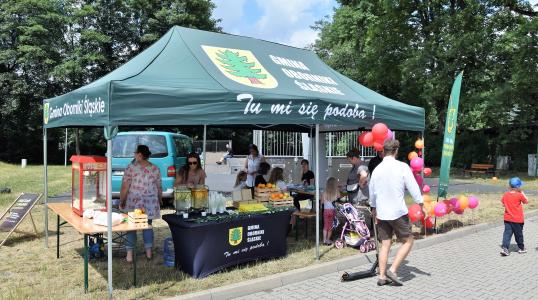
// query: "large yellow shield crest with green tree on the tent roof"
[[241, 66]]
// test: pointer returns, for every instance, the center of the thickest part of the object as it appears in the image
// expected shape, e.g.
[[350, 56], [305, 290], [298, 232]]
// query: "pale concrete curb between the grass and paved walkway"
[[318, 269]]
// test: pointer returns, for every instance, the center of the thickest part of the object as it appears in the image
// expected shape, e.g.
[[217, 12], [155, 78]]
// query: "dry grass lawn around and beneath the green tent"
[[33, 271]]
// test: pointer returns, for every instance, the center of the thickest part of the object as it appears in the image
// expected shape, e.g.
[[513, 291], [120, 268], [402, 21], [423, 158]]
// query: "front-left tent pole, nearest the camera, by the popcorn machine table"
[[109, 210]]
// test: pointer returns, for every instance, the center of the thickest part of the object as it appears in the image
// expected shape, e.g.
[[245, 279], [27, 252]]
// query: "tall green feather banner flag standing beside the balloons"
[[450, 136]]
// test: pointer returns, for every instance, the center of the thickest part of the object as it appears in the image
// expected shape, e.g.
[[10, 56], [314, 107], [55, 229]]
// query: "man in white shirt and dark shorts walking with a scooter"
[[387, 188]]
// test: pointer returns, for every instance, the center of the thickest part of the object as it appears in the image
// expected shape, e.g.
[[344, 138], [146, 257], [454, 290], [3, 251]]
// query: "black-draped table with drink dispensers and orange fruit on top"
[[213, 230]]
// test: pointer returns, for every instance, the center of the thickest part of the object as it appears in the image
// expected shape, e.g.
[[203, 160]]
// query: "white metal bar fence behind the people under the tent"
[[289, 144]]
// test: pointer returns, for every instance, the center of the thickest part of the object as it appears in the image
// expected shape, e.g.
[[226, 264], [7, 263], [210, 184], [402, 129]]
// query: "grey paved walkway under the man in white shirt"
[[466, 268]]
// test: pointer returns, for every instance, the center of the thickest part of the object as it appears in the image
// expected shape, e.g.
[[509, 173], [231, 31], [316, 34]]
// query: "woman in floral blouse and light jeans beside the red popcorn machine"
[[141, 188]]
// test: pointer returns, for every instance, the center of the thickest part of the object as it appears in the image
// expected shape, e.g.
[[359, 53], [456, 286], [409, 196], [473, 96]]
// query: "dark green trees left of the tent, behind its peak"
[[50, 47]]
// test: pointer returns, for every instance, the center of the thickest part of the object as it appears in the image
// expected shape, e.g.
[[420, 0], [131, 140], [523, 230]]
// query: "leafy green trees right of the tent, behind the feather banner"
[[412, 51]]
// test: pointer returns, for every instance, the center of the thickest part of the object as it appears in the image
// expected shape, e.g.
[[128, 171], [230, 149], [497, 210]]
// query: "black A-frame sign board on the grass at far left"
[[14, 215]]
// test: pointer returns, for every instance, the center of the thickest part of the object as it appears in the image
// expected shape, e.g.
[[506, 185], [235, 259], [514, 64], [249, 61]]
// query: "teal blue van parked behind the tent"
[[168, 152]]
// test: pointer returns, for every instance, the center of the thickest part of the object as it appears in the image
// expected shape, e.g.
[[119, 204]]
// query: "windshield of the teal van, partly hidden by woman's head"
[[125, 145]]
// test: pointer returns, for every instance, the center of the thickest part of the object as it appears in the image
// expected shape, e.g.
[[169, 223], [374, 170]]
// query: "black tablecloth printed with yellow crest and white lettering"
[[204, 248]]
